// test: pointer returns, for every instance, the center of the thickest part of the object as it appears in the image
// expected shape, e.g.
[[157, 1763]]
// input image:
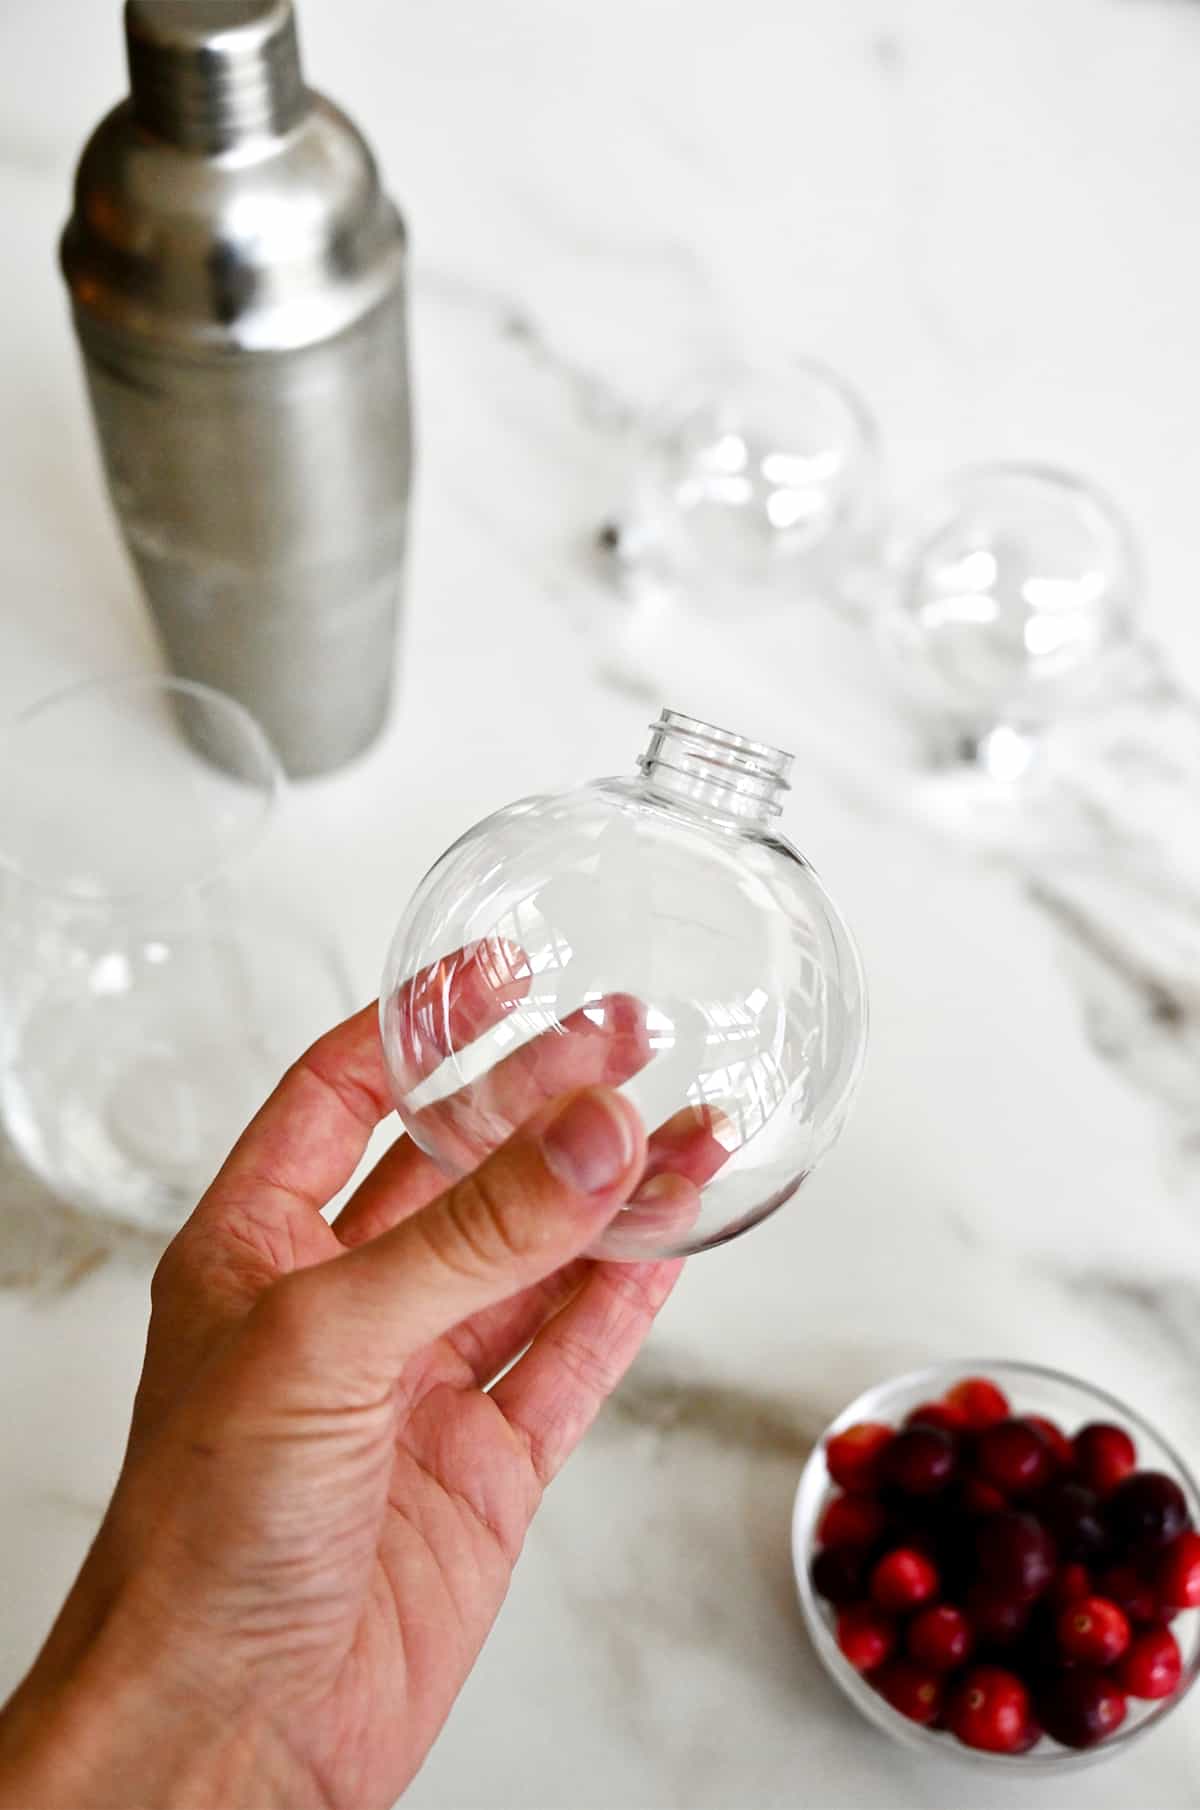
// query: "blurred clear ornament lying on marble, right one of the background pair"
[[1011, 602]]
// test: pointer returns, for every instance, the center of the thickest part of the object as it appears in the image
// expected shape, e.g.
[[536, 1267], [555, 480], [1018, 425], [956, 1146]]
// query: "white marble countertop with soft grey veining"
[[986, 214]]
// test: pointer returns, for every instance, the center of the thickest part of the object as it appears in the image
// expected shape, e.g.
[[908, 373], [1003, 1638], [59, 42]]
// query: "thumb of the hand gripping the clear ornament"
[[533, 1206]]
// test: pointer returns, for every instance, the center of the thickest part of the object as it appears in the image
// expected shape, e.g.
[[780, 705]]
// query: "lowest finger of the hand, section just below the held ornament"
[[555, 1393]]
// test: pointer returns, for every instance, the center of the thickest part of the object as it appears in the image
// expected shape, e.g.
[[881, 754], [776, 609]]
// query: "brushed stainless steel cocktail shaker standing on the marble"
[[238, 281]]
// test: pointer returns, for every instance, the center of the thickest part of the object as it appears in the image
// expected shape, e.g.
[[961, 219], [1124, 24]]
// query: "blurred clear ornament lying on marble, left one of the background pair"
[[754, 486]]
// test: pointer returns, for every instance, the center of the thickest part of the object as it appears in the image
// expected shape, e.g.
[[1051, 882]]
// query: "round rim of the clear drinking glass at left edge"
[[166, 685]]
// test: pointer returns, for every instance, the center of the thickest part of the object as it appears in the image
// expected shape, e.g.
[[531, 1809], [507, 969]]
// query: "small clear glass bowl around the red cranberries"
[[1031, 1391]]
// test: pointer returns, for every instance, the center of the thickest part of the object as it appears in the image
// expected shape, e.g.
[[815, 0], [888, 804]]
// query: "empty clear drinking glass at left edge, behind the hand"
[[157, 976]]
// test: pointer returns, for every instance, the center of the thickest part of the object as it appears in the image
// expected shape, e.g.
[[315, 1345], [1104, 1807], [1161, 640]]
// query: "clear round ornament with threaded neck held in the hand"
[[654, 933]]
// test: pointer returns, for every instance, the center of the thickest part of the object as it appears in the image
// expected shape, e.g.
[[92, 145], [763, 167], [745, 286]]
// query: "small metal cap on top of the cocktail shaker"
[[207, 75]]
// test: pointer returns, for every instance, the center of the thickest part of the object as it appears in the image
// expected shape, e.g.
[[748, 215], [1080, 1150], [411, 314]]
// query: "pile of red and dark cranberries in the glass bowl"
[[1004, 1581]]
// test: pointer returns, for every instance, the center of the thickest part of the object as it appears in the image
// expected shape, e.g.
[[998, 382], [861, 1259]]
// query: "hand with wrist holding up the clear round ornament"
[[323, 1501]]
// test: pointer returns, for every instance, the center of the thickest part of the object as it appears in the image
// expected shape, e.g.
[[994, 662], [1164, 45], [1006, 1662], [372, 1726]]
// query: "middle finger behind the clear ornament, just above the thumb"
[[604, 1043]]
